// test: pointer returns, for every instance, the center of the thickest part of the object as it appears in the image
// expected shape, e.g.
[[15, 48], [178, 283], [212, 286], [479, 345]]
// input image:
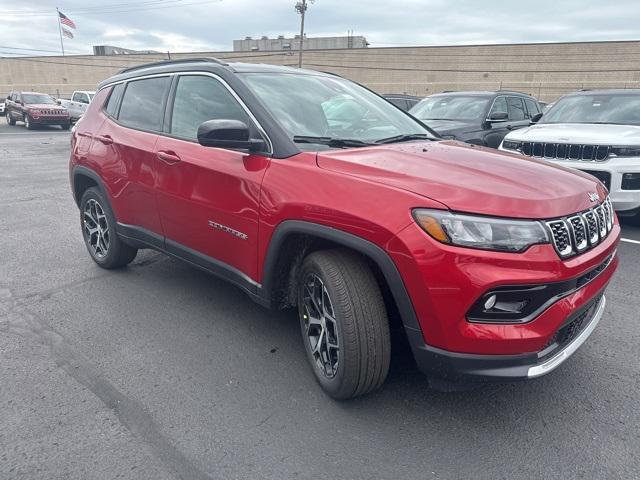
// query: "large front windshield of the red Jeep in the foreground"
[[330, 107]]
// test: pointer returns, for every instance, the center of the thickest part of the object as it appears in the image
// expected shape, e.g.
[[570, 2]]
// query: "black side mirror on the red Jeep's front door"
[[229, 134]]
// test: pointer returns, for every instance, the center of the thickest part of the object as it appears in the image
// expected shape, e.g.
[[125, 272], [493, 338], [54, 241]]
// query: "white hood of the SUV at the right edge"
[[587, 133]]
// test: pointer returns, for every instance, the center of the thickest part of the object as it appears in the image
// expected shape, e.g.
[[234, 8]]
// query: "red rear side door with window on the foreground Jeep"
[[124, 149]]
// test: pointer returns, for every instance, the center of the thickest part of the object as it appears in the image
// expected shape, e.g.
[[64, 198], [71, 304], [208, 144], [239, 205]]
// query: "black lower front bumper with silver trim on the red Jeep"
[[470, 367]]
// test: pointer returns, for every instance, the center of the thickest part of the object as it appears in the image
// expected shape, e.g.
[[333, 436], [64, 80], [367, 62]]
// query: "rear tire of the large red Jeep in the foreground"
[[116, 254]]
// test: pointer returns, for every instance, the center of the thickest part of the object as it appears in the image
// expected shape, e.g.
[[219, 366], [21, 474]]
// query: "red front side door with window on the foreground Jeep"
[[208, 198]]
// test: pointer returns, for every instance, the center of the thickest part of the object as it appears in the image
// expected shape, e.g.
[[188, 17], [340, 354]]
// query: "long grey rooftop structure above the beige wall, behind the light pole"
[[310, 43]]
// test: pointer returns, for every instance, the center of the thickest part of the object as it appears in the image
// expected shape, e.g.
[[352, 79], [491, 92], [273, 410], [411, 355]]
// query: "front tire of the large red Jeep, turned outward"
[[363, 338]]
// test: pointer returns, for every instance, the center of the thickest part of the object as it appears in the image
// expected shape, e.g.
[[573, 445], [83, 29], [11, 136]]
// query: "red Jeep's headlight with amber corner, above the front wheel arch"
[[475, 231]]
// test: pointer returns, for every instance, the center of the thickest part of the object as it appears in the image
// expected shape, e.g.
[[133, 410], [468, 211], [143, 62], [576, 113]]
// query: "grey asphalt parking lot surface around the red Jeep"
[[160, 371]]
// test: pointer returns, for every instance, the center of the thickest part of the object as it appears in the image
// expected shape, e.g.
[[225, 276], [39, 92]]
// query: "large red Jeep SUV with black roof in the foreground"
[[305, 189]]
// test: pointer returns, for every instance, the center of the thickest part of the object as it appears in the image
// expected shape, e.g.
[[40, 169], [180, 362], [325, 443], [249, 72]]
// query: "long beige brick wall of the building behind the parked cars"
[[543, 70]]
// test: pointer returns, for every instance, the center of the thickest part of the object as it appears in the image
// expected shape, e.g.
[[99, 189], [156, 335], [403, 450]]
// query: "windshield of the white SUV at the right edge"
[[621, 109]]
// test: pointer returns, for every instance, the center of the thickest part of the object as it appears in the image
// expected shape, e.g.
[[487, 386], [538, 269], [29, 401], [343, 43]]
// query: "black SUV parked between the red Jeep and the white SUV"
[[482, 118]]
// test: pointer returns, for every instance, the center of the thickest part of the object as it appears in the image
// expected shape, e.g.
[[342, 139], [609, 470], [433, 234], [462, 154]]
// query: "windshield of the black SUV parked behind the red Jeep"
[[451, 107]]
